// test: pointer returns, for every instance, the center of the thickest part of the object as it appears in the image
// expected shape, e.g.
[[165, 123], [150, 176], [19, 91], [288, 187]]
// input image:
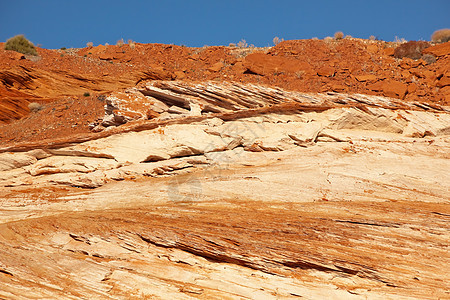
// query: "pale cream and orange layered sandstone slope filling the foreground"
[[220, 190]]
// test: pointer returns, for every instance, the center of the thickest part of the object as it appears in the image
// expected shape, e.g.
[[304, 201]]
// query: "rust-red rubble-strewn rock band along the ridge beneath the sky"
[[347, 65]]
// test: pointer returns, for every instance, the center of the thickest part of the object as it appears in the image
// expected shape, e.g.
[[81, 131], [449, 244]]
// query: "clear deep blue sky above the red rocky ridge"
[[61, 23]]
